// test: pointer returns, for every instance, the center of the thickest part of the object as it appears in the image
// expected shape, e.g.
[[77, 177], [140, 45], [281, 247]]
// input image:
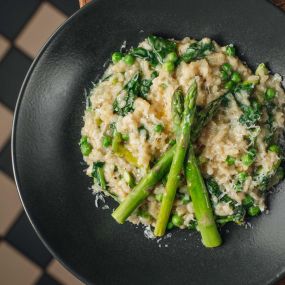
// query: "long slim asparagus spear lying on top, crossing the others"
[[183, 140]]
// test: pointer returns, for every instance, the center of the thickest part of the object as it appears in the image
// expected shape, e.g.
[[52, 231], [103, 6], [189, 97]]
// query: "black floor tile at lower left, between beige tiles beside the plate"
[[24, 238]]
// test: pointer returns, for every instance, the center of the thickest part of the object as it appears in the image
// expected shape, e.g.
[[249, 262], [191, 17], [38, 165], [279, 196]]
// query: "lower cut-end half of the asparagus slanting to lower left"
[[140, 192]]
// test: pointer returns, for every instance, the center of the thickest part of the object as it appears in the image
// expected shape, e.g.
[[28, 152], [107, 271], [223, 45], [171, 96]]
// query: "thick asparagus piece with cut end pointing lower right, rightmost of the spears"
[[201, 202]]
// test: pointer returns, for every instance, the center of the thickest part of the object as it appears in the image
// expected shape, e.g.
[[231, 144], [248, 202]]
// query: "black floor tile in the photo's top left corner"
[[14, 14]]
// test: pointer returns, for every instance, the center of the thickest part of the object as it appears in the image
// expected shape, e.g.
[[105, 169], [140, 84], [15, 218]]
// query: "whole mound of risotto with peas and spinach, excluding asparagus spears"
[[128, 126]]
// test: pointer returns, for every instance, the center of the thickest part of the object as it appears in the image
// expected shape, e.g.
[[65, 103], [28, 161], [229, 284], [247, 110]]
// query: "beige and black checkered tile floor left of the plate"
[[25, 25]]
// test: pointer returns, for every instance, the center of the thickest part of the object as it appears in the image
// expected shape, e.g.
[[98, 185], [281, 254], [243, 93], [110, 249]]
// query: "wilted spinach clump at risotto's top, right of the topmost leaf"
[[197, 50]]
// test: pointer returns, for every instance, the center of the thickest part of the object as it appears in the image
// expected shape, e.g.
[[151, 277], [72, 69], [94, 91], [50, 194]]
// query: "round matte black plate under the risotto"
[[47, 161]]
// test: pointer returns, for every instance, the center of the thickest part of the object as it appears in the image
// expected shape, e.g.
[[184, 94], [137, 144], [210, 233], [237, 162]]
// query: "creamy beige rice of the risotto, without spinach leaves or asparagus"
[[224, 136]]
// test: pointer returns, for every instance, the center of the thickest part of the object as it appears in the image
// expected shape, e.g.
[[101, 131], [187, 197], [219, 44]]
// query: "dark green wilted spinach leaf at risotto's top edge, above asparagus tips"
[[161, 47]]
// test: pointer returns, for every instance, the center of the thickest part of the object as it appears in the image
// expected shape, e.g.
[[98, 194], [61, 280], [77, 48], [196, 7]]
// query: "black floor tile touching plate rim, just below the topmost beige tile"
[[13, 69]]
